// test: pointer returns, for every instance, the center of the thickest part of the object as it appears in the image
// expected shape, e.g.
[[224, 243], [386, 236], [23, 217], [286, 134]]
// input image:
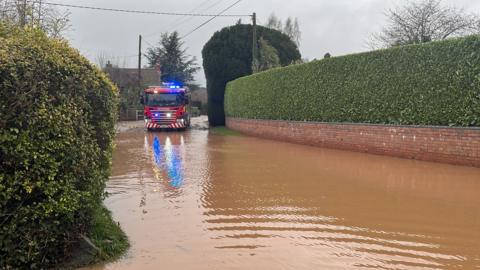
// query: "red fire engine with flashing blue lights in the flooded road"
[[166, 107]]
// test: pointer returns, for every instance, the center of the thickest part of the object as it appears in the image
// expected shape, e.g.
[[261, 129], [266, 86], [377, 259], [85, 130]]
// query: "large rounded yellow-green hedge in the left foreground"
[[57, 115]]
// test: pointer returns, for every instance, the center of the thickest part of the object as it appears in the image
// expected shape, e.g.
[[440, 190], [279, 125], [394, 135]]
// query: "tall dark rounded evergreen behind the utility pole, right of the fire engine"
[[228, 55]]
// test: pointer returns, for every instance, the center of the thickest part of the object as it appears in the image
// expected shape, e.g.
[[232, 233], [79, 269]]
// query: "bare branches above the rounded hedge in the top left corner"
[[36, 14]]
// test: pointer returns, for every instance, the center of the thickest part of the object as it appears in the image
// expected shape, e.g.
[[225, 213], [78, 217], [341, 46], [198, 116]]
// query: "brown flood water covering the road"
[[195, 200]]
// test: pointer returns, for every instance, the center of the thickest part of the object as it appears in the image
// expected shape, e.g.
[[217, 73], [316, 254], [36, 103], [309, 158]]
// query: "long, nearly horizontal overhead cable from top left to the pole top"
[[144, 12]]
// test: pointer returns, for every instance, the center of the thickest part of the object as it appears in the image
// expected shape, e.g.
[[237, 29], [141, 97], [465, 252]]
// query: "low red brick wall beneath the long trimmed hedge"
[[460, 146]]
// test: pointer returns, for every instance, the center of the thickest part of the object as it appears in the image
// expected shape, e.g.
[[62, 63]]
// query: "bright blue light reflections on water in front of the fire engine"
[[167, 158]]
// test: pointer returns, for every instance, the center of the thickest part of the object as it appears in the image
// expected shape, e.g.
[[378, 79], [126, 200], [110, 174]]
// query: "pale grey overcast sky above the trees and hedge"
[[336, 26]]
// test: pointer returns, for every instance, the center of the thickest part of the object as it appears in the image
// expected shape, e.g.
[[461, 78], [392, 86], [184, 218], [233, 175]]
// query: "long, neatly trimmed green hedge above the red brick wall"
[[432, 84]]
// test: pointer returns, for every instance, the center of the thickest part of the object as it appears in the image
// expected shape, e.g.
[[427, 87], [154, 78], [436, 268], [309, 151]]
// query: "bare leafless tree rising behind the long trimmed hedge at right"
[[424, 21]]
